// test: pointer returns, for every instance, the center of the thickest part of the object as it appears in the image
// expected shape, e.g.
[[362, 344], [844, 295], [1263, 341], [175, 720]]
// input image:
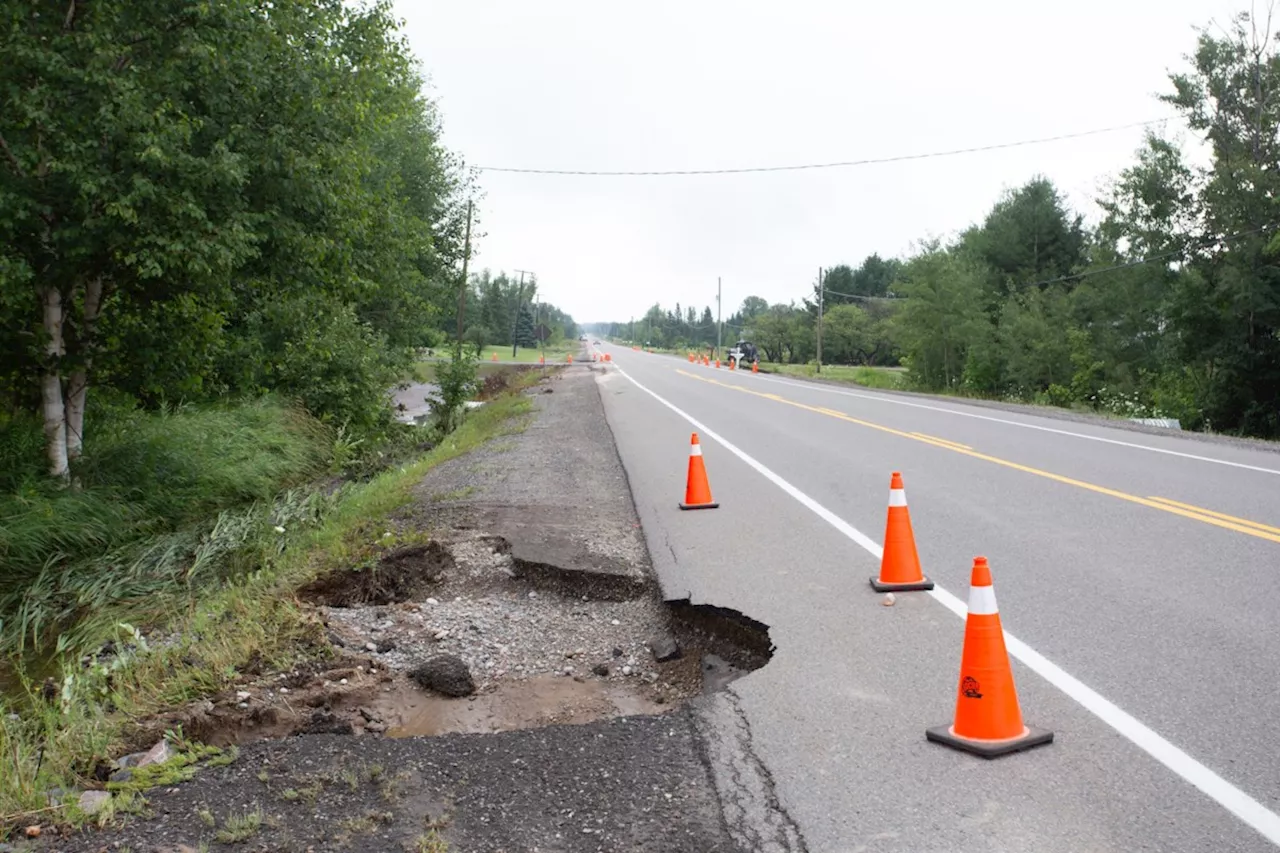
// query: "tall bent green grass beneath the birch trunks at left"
[[162, 499]]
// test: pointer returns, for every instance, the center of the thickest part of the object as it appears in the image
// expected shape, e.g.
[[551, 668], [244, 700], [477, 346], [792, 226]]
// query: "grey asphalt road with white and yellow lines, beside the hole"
[[1136, 583]]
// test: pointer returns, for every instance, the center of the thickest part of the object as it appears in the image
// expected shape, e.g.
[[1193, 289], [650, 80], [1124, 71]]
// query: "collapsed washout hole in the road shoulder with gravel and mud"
[[519, 645]]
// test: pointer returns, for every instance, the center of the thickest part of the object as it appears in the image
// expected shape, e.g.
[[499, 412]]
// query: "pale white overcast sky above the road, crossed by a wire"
[[719, 84]]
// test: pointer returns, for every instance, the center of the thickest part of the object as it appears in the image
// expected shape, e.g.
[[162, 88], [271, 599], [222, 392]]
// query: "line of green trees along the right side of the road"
[[1168, 307]]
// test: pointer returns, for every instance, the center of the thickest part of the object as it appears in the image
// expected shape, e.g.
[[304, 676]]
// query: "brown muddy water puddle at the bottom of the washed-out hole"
[[550, 700]]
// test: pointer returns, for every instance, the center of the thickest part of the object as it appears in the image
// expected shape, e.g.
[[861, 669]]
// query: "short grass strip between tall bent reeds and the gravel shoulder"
[[214, 632]]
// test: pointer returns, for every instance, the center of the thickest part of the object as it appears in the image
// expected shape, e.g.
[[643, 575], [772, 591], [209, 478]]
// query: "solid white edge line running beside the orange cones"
[[1204, 779]]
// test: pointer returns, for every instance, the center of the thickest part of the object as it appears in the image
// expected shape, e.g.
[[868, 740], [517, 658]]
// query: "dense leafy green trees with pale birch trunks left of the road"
[[202, 202]]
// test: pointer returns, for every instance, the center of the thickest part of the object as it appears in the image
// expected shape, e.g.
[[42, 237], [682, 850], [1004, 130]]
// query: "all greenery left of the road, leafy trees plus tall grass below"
[[203, 311]]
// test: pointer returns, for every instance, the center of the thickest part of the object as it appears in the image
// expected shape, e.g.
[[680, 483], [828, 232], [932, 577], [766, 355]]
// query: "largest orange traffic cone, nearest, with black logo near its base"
[[989, 722]]
